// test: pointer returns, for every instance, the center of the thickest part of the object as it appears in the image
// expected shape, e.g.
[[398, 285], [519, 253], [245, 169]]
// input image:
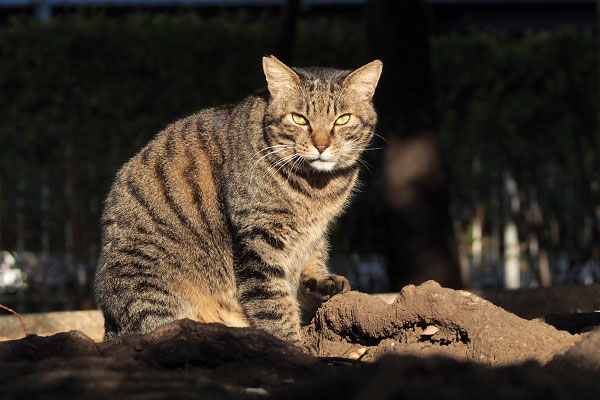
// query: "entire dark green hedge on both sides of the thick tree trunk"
[[80, 94]]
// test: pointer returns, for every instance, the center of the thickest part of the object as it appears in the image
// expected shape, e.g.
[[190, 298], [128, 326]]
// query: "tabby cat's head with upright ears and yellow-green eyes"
[[319, 119]]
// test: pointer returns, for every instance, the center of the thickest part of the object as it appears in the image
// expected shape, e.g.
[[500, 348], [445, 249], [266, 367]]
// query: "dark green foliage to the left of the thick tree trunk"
[[102, 86]]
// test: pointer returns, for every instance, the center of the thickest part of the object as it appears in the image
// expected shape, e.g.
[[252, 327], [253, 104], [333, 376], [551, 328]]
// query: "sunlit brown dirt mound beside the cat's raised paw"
[[427, 320]]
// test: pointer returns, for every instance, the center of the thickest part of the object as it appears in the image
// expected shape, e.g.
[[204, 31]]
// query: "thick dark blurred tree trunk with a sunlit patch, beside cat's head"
[[421, 243]]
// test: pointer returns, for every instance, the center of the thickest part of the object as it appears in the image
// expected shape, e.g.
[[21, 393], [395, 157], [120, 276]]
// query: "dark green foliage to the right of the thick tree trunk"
[[516, 99]]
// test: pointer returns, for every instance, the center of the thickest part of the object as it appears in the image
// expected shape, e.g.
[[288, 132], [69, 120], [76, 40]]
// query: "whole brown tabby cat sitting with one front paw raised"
[[223, 216]]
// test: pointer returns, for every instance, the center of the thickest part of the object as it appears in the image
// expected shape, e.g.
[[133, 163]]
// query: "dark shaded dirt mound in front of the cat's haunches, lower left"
[[178, 360]]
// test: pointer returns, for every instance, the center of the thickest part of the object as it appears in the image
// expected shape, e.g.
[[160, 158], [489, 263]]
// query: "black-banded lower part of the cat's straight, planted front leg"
[[266, 297]]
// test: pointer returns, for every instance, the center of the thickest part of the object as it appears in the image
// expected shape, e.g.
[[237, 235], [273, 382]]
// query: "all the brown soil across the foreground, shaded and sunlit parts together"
[[431, 342]]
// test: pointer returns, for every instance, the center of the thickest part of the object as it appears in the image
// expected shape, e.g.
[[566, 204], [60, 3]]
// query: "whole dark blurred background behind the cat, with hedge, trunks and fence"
[[485, 172]]
